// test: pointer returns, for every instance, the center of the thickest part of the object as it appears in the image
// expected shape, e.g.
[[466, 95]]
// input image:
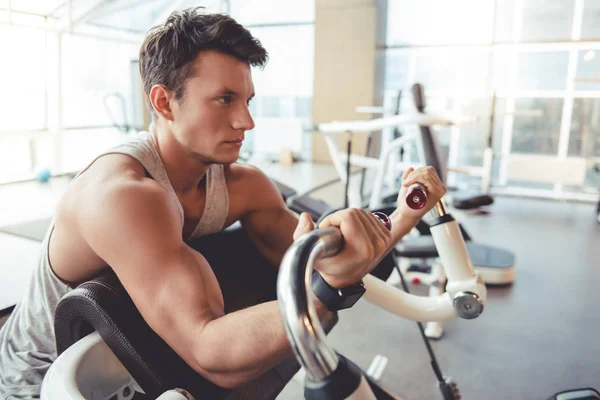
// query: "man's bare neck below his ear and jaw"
[[184, 171]]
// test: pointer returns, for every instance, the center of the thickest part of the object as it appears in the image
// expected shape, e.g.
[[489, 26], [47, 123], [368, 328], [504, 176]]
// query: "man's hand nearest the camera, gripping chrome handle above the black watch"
[[365, 239]]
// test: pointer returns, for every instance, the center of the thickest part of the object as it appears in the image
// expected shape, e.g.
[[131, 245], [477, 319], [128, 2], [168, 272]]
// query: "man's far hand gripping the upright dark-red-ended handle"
[[427, 177]]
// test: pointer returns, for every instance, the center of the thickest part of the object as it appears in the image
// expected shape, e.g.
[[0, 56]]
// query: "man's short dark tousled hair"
[[169, 49]]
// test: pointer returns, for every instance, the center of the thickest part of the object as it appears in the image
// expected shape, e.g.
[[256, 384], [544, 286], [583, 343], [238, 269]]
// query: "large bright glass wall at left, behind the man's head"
[[70, 76]]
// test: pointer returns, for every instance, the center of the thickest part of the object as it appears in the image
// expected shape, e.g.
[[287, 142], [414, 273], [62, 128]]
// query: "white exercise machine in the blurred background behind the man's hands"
[[418, 256]]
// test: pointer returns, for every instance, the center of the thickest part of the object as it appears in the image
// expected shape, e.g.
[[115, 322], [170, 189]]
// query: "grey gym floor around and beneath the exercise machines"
[[535, 338]]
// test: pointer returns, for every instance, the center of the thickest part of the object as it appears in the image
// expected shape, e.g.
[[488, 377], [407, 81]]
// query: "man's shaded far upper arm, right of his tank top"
[[268, 222]]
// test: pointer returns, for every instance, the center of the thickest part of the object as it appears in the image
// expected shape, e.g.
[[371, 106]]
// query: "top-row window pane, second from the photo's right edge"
[[547, 20]]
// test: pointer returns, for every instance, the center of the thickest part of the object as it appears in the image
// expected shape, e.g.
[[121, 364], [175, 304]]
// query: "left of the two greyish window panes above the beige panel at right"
[[537, 134]]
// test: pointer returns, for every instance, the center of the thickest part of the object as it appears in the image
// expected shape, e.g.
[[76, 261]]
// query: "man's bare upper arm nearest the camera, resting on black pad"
[[137, 232]]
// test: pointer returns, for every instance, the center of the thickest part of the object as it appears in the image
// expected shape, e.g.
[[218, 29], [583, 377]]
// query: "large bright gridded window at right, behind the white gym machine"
[[525, 52]]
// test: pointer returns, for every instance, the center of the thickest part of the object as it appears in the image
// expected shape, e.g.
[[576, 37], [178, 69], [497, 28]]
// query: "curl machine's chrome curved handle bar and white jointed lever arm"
[[329, 375]]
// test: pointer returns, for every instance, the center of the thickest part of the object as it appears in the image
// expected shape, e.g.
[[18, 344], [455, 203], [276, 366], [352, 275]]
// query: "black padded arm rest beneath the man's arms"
[[103, 305]]
